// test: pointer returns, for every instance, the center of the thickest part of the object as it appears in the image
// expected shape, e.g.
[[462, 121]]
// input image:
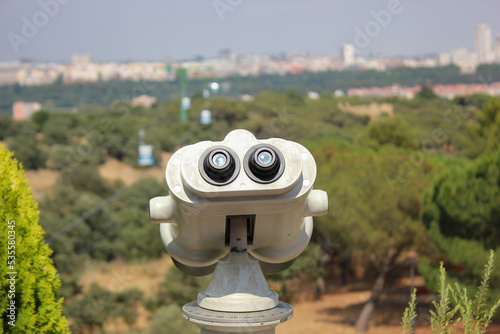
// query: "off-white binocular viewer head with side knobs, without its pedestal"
[[267, 182]]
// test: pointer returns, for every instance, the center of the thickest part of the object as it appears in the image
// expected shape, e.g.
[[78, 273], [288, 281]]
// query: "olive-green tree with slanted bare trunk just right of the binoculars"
[[374, 206]]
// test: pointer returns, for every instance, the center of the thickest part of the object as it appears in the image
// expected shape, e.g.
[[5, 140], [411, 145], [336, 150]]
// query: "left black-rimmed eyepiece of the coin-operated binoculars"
[[218, 166]]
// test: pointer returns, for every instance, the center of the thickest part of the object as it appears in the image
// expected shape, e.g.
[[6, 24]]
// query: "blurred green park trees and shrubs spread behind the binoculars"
[[426, 179]]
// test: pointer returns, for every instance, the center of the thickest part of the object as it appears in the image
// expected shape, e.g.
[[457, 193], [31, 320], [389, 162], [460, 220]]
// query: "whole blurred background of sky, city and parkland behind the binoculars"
[[399, 102]]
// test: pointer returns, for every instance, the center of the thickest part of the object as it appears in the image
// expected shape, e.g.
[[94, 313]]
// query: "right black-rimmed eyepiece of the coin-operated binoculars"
[[264, 163]]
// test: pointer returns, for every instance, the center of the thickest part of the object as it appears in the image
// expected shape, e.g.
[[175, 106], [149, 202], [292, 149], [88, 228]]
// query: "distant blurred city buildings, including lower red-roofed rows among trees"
[[83, 70]]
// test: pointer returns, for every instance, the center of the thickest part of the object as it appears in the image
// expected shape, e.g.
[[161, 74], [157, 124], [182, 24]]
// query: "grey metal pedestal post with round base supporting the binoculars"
[[246, 307]]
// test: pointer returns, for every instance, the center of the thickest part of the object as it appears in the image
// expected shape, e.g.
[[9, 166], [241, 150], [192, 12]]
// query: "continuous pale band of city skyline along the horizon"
[[82, 69]]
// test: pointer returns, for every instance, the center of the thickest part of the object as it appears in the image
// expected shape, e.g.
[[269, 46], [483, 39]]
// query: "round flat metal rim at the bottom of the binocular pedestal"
[[263, 322]]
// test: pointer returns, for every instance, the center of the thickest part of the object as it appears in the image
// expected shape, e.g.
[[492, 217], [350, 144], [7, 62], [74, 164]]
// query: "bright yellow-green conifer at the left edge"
[[34, 290]]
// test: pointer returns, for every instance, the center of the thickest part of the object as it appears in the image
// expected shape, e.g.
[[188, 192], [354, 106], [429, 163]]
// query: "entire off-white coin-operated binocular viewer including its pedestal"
[[238, 208]]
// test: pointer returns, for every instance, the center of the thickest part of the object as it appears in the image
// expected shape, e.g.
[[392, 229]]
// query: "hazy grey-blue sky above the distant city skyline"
[[45, 30]]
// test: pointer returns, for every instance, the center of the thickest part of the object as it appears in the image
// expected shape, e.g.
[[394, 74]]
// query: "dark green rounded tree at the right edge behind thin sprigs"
[[462, 214]]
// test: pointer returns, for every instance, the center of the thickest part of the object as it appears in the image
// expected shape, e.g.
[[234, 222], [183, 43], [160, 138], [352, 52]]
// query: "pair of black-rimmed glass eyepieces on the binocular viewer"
[[263, 163]]
